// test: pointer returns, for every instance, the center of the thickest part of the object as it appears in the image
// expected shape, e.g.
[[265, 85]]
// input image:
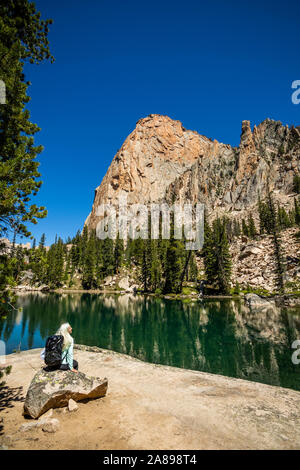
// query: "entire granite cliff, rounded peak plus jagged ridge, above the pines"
[[162, 161]]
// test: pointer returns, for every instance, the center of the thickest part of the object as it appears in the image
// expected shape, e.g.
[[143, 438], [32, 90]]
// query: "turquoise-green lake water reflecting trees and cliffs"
[[217, 336]]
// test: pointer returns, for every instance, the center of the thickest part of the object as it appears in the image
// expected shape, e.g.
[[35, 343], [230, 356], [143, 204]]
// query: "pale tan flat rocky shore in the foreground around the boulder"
[[149, 406]]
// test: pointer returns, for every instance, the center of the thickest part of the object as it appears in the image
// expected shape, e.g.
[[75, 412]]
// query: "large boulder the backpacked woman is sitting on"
[[54, 390]]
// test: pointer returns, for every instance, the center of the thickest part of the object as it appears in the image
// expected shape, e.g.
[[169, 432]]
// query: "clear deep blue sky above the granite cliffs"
[[208, 64]]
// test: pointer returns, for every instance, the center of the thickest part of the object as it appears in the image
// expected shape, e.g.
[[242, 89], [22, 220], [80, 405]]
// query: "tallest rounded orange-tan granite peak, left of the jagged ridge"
[[158, 151]]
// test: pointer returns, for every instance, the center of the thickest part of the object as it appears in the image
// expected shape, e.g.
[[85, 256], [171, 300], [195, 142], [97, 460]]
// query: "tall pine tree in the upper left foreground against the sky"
[[23, 39]]
